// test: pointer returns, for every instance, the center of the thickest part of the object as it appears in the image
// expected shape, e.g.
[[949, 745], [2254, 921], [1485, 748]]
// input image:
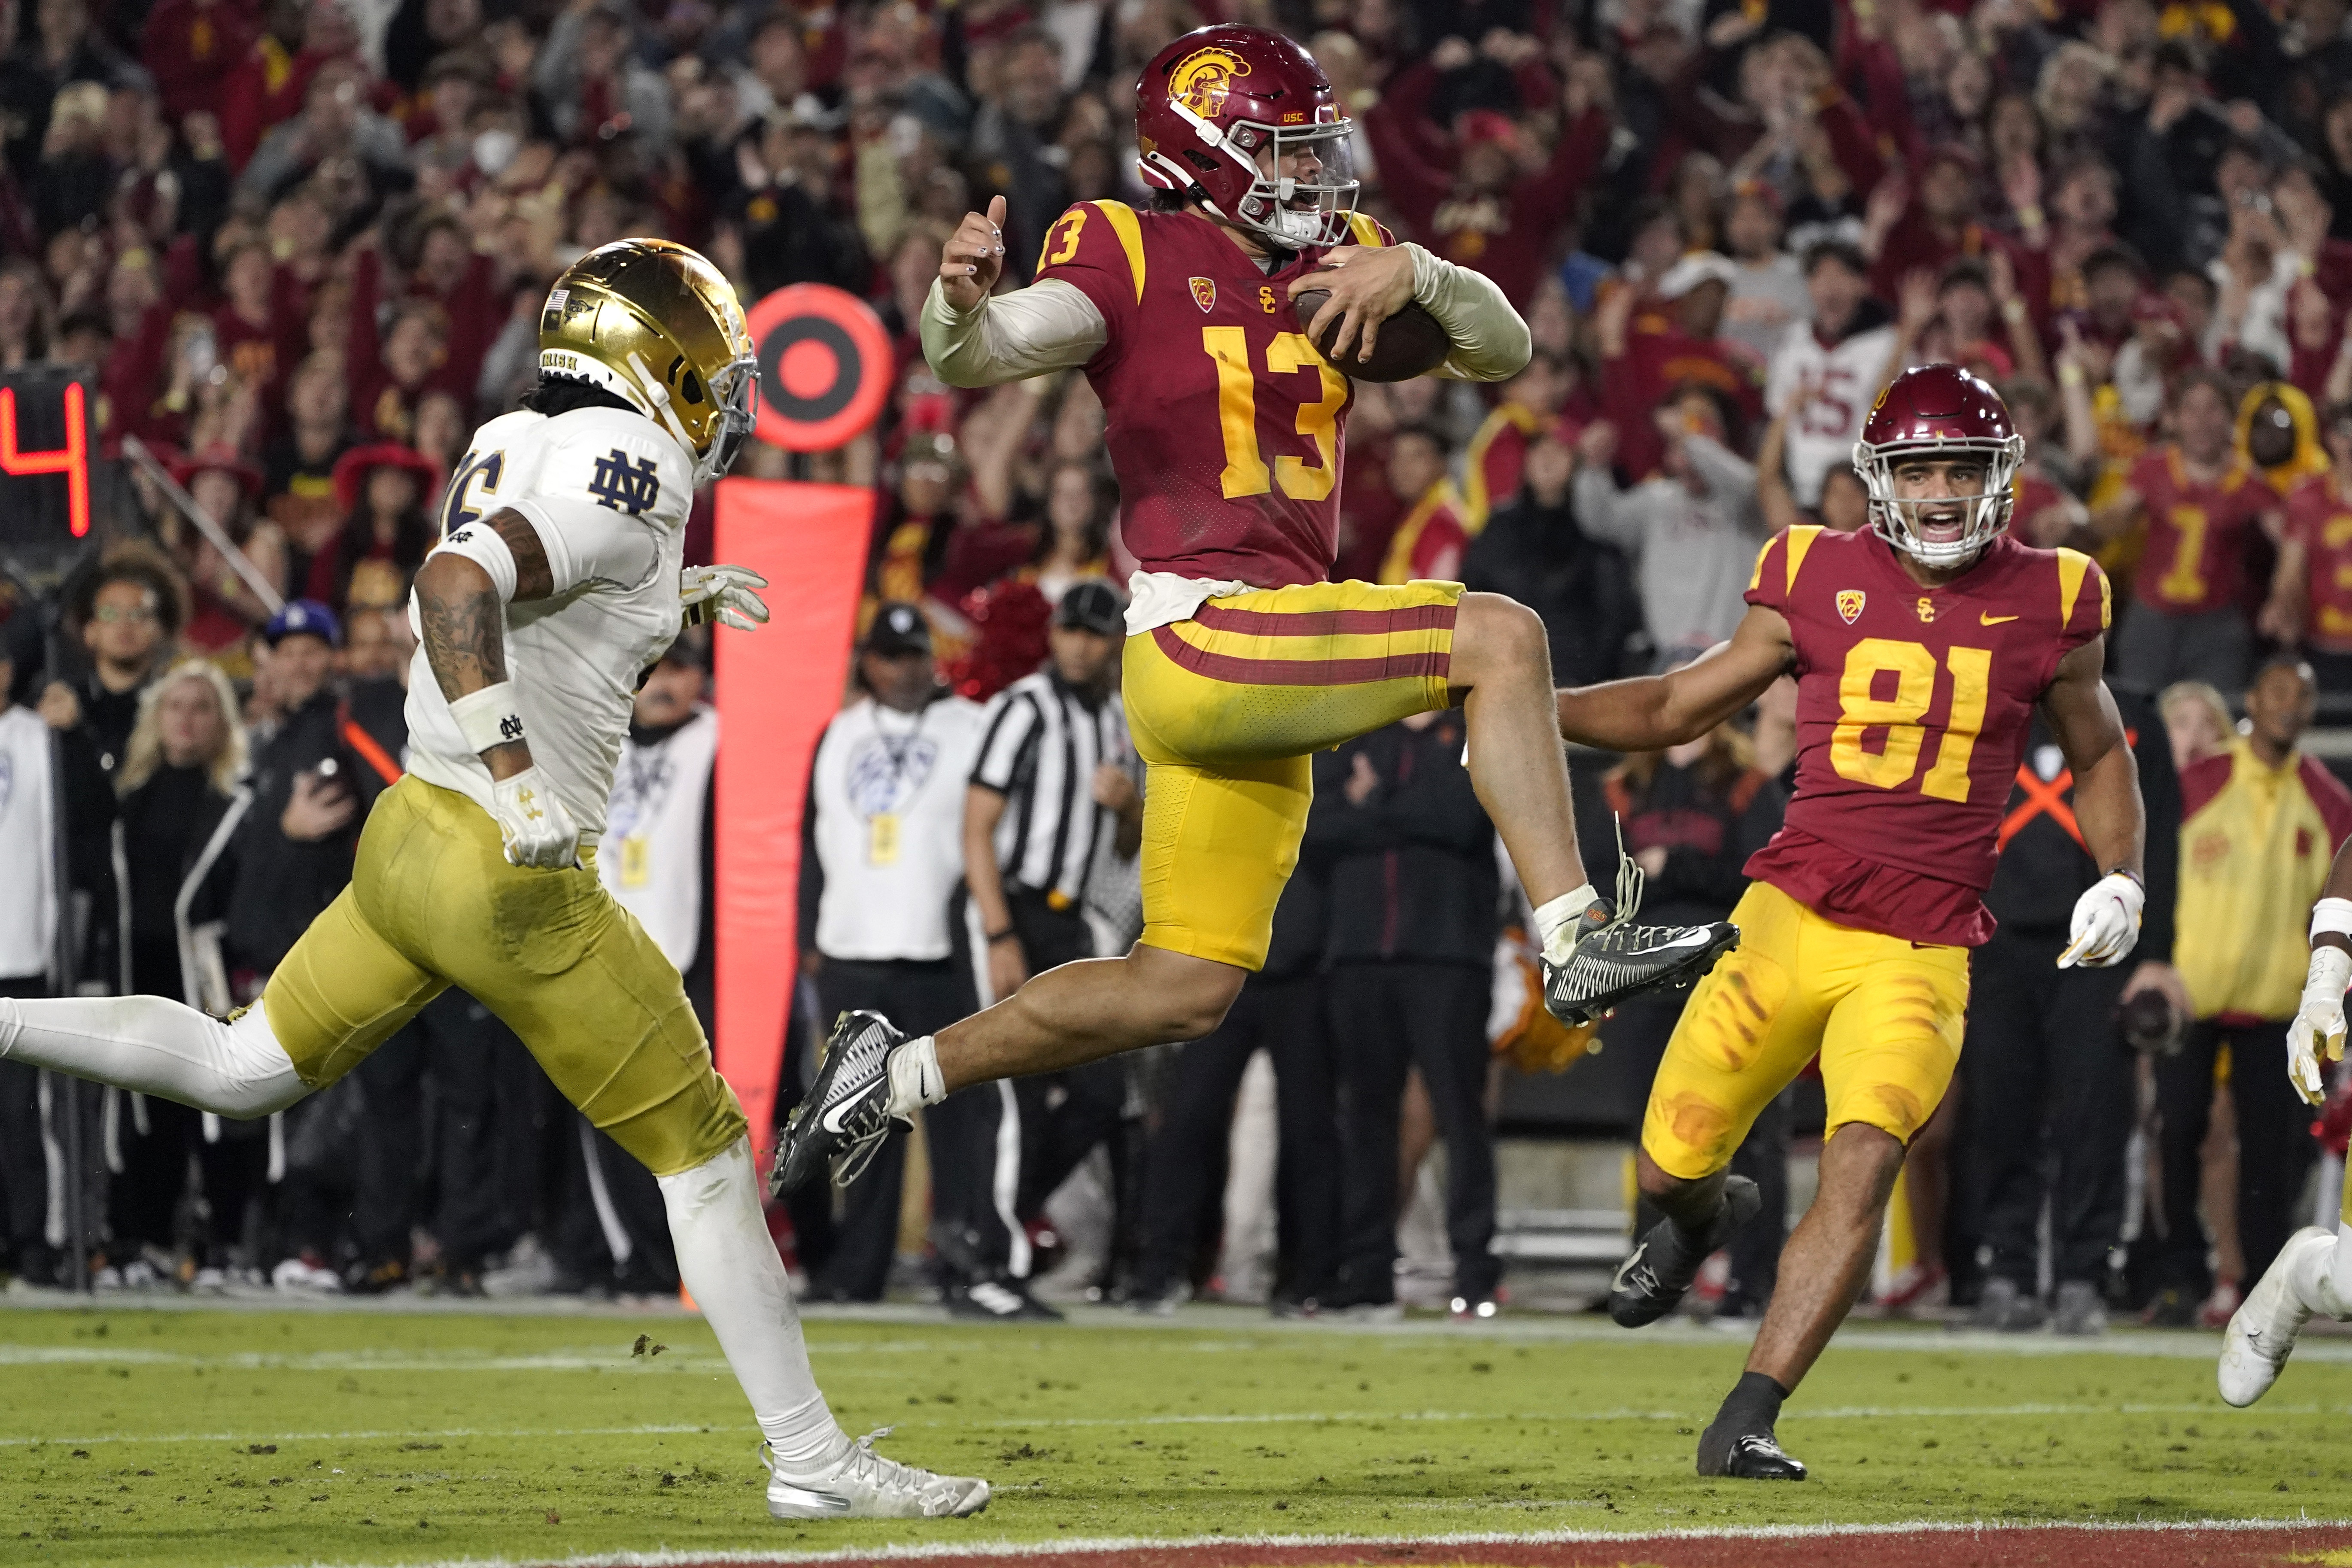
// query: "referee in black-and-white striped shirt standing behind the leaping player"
[[1055, 782]]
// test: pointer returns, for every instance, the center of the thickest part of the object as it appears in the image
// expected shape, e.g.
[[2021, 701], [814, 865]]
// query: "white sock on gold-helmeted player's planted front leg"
[[737, 1280]]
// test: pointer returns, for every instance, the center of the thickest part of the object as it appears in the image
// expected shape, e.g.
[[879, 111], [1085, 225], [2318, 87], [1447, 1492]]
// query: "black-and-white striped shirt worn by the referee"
[[1038, 751]]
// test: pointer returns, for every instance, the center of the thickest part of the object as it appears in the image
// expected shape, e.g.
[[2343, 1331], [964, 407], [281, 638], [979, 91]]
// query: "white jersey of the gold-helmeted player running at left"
[[608, 492]]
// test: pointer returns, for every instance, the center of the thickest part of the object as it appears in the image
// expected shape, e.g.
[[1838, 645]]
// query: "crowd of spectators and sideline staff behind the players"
[[298, 250]]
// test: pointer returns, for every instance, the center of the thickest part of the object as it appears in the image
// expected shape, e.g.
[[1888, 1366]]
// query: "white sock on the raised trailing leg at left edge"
[[161, 1047]]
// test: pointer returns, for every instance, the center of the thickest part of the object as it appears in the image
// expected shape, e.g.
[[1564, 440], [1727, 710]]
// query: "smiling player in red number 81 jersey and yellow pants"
[[1920, 652]]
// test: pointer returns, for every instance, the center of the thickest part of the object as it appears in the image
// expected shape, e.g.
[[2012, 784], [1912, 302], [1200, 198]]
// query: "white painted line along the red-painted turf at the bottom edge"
[[1466, 1539]]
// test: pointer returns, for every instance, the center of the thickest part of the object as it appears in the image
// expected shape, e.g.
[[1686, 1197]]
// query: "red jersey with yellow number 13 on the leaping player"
[[1222, 420]]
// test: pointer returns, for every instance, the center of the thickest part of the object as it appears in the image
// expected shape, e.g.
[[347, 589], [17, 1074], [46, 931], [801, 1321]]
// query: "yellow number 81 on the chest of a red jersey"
[[1899, 716]]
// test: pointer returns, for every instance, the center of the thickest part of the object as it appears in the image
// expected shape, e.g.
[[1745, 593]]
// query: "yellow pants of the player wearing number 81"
[[1885, 1017]]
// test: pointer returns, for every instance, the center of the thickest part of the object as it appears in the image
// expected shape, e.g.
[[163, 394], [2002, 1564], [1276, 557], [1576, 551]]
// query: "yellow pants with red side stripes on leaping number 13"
[[1229, 706]]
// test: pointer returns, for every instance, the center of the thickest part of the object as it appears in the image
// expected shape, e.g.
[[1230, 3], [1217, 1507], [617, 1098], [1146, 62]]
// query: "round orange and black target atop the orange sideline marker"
[[824, 366]]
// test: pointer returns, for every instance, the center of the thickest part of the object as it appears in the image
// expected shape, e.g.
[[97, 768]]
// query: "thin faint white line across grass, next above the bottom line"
[[1551, 1419]]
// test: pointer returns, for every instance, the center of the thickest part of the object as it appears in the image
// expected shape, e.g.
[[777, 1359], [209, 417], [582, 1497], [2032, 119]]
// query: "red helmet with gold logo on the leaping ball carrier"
[[1222, 98]]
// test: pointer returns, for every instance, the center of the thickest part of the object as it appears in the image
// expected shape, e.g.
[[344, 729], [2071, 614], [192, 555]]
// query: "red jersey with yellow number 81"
[[1913, 706]]
